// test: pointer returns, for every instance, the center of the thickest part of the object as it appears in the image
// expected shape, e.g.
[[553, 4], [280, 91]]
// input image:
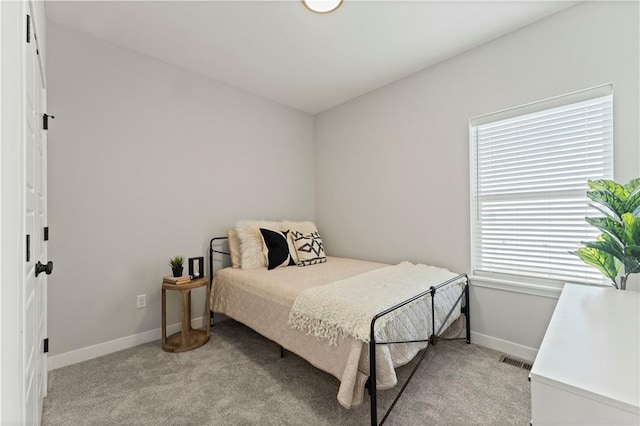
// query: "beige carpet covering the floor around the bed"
[[238, 378]]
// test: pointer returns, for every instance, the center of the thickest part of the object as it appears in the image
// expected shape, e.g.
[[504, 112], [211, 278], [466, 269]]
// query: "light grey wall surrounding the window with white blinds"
[[392, 167]]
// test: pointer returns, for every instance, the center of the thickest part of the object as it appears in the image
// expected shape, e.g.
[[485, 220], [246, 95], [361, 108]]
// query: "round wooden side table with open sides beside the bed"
[[188, 338]]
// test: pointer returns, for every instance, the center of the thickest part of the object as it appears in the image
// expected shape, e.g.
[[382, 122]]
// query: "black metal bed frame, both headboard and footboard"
[[433, 339]]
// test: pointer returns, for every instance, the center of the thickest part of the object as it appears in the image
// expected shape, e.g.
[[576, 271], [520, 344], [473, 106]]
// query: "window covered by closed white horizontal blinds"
[[530, 166]]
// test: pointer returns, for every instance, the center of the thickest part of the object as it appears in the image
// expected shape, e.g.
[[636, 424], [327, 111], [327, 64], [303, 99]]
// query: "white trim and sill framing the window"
[[520, 283]]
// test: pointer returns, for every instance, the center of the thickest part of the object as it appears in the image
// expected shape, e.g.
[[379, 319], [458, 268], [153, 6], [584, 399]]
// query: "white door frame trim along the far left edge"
[[12, 246]]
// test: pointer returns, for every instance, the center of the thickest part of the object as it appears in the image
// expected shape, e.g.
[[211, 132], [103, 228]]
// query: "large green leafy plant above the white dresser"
[[616, 252]]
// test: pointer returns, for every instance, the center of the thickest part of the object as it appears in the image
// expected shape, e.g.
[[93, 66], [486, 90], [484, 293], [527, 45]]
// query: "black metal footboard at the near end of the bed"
[[433, 339]]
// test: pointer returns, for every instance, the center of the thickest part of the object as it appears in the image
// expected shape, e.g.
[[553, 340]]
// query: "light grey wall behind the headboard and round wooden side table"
[[147, 161]]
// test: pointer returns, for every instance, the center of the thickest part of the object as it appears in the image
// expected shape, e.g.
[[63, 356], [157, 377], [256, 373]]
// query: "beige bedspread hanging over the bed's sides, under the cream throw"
[[262, 300]]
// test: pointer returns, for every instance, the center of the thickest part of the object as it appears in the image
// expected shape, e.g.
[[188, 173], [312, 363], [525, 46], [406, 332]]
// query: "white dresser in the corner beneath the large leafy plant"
[[587, 371]]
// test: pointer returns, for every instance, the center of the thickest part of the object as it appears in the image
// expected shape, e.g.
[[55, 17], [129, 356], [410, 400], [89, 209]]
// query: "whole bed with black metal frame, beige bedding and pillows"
[[282, 305]]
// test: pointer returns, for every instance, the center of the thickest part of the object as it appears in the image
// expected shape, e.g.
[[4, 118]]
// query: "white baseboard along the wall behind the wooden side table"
[[94, 351]]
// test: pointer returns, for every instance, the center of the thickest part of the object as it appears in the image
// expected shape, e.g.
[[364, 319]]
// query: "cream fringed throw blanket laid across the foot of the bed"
[[346, 307]]
